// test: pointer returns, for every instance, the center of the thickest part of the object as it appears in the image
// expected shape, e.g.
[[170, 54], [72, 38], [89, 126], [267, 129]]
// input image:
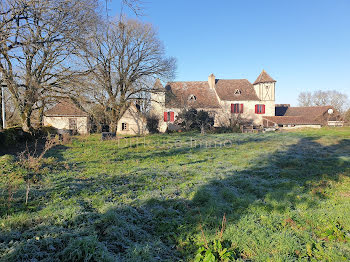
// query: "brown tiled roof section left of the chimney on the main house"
[[178, 94]]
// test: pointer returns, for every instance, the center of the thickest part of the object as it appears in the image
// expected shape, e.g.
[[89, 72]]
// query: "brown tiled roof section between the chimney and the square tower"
[[226, 90]]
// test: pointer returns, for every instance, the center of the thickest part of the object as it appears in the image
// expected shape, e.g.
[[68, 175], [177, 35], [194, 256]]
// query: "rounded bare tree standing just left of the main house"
[[123, 59]]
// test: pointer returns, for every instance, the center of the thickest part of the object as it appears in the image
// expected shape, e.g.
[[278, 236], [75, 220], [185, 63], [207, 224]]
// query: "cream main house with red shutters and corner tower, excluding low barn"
[[224, 99]]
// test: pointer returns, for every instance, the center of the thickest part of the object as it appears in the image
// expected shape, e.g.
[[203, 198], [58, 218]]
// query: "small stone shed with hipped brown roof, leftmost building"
[[67, 116]]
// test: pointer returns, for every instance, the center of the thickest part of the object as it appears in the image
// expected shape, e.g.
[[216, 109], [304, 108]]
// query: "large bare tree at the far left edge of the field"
[[37, 41]]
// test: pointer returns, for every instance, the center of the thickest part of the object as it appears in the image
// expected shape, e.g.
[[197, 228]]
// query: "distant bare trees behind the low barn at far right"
[[324, 98]]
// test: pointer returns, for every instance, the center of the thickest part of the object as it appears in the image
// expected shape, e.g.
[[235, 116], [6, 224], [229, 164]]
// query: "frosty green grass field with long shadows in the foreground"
[[178, 197]]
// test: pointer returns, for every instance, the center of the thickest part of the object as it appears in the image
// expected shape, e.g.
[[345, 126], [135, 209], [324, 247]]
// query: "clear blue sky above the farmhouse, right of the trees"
[[304, 45]]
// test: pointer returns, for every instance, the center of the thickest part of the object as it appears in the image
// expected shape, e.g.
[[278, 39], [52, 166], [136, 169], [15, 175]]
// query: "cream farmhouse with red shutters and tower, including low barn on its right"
[[226, 99]]
